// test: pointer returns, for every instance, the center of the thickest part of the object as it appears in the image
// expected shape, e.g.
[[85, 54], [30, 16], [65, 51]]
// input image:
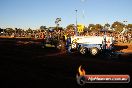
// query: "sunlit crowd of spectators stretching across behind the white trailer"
[[119, 37]]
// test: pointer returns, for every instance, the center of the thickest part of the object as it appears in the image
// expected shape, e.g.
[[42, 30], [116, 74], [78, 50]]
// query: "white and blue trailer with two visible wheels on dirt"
[[89, 44]]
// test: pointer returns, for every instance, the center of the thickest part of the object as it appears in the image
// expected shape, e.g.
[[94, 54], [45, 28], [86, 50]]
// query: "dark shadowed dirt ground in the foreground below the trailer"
[[30, 66]]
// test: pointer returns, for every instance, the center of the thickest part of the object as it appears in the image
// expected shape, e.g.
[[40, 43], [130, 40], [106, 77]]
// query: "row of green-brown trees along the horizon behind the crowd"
[[116, 26]]
